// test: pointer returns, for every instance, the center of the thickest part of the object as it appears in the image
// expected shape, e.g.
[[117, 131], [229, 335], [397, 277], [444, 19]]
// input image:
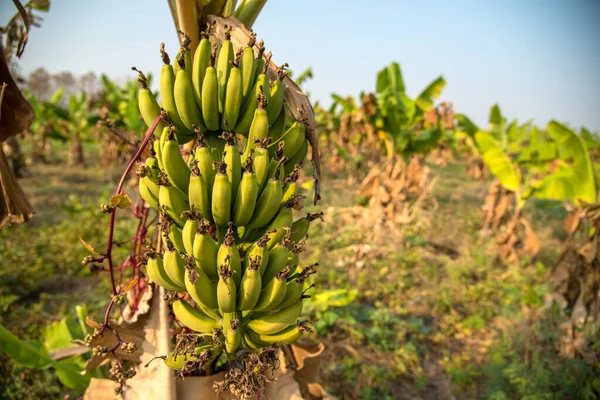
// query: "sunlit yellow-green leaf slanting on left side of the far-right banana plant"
[[498, 161]]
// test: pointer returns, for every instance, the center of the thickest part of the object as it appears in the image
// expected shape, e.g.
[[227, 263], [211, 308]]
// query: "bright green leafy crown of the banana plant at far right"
[[554, 164]]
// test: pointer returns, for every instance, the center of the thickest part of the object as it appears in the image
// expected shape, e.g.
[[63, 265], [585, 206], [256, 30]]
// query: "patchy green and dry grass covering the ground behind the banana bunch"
[[434, 316]]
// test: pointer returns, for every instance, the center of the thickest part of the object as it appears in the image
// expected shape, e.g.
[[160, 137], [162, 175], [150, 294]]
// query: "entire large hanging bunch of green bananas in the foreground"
[[229, 239]]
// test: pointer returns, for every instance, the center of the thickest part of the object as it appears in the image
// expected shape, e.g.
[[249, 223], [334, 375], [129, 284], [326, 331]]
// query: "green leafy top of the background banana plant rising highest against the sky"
[[398, 118]]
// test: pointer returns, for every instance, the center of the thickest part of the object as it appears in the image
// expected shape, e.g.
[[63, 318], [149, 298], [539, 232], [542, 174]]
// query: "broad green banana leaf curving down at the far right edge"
[[572, 150]]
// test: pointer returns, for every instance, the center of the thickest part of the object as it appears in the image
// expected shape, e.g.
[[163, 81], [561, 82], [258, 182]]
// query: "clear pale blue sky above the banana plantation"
[[538, 59]]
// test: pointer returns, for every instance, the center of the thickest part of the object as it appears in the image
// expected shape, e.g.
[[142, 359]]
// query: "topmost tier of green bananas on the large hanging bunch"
[[217, 89]]
